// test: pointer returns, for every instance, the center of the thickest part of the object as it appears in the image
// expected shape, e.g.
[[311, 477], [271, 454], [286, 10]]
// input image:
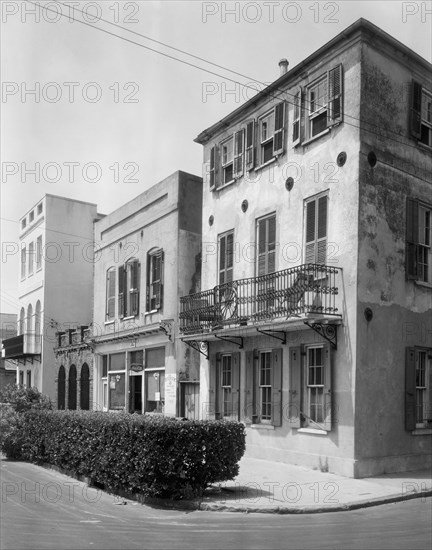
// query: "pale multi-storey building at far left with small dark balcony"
[[55, 286]]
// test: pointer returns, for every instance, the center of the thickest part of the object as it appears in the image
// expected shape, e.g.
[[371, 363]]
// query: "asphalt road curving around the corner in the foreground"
[[42, 509]]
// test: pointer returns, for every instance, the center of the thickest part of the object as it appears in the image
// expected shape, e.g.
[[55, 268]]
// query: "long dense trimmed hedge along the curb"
[[151, 455]]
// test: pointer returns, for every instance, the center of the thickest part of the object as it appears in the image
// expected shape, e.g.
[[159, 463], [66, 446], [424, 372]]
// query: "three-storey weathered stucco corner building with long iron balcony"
[[314, 319]]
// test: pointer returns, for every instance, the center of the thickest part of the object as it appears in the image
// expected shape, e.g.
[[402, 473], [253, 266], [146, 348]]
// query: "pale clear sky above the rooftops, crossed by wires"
[[109, 118]]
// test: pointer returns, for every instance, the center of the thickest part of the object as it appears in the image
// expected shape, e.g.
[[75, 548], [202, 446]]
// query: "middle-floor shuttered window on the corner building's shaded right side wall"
[[418, 252]]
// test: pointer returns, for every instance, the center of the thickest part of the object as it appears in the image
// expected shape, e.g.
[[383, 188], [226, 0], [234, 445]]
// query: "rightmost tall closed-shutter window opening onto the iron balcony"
[[316, 230]]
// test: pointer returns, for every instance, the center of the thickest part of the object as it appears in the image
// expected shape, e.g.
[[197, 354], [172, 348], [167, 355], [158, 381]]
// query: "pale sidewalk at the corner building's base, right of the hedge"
[[273, 487]]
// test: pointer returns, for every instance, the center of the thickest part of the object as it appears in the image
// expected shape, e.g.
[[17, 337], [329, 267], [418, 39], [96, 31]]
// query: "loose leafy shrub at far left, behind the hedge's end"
[[15, 400]]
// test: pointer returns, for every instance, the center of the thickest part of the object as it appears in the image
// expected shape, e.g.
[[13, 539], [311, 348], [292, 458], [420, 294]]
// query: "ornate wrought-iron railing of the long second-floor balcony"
[[305, 289]]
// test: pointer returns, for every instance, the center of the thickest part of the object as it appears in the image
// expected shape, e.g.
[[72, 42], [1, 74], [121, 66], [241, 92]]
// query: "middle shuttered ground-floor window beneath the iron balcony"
[[264, 387]]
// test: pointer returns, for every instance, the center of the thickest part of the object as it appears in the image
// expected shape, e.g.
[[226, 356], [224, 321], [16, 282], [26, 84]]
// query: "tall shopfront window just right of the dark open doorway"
[[155, 380]]
